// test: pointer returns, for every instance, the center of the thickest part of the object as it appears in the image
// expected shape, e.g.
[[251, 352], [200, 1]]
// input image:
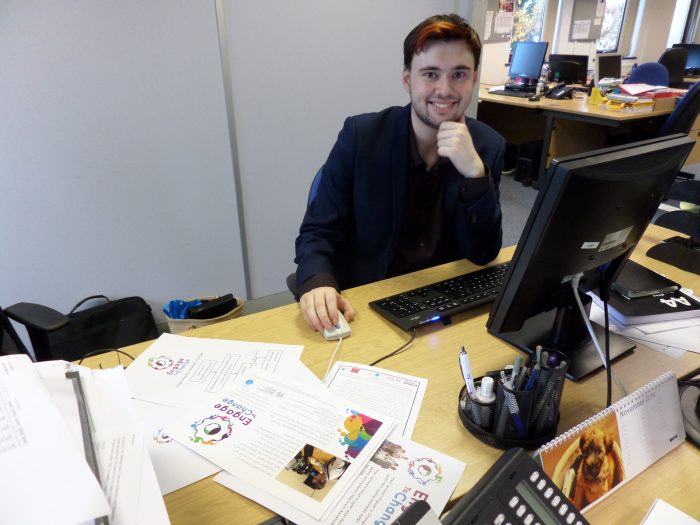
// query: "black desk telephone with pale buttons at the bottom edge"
[[516, 490]]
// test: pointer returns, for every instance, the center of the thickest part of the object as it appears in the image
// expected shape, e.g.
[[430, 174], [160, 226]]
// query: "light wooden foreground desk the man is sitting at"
[[434, 355]]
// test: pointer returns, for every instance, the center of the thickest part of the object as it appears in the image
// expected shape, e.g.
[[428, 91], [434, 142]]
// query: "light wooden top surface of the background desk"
[[576, 107]]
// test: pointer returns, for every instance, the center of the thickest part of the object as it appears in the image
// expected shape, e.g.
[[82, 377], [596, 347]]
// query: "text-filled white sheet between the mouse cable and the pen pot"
[[394, 395]]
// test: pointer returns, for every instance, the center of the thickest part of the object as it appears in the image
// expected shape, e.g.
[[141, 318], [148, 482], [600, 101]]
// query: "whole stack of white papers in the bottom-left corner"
[[75, 444]]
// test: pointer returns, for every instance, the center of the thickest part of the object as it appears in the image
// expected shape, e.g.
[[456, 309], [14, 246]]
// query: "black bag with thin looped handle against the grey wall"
[[107, 326]]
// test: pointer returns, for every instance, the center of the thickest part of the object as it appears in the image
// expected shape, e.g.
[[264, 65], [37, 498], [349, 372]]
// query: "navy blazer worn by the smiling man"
[[352, 225]]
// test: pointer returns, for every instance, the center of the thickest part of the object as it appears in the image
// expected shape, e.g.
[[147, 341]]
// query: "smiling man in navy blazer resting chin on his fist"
[[408, 187]]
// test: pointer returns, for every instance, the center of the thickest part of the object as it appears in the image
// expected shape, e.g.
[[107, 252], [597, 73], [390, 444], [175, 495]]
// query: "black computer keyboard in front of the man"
[[442, 299]]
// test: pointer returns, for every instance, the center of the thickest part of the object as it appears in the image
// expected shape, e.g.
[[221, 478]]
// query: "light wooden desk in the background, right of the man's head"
[[565, 126]]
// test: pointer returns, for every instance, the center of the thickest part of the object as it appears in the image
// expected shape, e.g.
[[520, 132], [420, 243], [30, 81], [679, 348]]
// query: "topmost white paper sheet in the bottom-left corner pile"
[[44, 477]]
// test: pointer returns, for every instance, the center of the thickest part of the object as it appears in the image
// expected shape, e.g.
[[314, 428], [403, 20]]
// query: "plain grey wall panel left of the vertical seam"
[[115, 164]]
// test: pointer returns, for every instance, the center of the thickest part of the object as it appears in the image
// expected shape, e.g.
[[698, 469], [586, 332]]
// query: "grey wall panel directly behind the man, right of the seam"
[[298, 69]]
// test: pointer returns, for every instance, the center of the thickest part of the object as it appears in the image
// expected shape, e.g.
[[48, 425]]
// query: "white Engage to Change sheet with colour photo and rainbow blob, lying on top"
[[270, 430]]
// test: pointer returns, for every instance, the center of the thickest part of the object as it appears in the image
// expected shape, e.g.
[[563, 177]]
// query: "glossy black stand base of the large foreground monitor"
[[544, 328]]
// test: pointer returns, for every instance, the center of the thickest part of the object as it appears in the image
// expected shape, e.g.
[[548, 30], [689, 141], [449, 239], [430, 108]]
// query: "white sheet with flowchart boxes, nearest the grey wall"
[[176, 370]]
